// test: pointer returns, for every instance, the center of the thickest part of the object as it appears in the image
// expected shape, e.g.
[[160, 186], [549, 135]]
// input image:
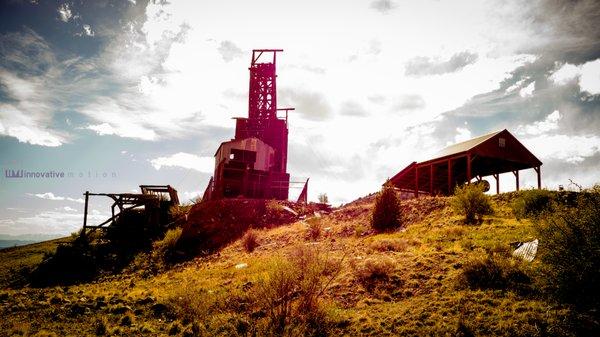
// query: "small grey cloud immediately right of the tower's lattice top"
[[309, 105]]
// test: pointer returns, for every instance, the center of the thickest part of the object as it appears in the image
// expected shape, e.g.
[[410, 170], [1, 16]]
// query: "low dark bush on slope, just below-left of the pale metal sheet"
[[494, 272]]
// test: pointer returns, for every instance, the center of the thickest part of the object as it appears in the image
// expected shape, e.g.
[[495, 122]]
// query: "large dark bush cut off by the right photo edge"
[[570, 250]]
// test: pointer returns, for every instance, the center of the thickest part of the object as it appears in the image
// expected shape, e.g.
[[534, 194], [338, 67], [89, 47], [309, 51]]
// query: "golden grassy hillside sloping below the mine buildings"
[[403, 283]]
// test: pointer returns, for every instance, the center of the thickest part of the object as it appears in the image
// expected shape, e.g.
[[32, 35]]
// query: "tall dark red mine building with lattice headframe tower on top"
[[254, 163]]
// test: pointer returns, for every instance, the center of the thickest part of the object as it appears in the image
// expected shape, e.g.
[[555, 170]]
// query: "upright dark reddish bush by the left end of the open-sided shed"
[[386, 213]]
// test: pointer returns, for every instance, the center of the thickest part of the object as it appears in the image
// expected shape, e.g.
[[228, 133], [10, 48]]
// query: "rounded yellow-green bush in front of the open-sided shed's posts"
[[470, 201]]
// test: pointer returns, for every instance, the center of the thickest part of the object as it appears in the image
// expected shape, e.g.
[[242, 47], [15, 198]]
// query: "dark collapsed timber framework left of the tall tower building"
[[153, 200]]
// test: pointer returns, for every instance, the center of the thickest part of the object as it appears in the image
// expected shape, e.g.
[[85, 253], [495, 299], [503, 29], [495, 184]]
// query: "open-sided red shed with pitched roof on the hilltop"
[[489, 155]]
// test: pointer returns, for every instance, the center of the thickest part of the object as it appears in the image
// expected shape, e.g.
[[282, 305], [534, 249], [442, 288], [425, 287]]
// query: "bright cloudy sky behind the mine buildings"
[[115, 94]]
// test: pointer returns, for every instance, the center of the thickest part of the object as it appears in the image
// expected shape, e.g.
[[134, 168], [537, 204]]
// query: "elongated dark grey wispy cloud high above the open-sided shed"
[[424, 66]]
